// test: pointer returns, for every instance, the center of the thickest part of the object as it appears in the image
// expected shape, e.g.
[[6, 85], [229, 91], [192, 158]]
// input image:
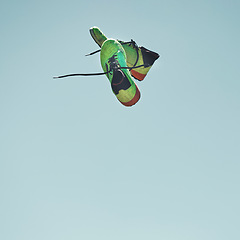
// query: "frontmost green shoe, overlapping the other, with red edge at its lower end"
[[113, 58]]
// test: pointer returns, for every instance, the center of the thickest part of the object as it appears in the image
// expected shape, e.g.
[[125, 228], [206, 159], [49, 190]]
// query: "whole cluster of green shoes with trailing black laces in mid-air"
[[121, 62]]
